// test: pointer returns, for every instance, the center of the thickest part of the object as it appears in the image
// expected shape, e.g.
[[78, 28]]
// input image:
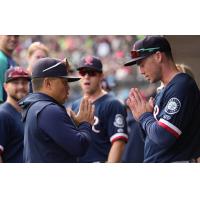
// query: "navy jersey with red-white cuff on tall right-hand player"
[[173, 131]]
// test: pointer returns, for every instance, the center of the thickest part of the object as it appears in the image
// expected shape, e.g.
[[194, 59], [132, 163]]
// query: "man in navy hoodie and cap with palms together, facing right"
[[50, 134]]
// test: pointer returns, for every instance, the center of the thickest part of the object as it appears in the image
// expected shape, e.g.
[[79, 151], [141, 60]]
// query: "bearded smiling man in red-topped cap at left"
[[11, 127]]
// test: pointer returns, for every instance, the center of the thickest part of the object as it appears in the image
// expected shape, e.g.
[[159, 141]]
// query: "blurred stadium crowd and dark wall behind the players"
[[114, 51]]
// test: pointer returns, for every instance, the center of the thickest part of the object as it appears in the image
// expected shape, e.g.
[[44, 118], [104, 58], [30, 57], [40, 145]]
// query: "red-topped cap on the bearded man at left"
[[15, 73]]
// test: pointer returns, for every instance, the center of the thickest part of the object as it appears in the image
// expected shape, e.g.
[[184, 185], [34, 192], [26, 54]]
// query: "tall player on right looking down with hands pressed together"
[[171, 121]]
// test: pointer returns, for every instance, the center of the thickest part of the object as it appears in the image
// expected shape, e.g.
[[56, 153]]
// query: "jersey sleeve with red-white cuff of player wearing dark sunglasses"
[[116, 122]]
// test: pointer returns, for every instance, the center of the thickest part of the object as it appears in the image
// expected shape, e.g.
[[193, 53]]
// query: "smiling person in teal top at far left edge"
[[8, 43]]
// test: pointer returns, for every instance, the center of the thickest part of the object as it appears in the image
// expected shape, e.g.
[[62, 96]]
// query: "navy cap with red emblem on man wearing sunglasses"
[[90, 62]]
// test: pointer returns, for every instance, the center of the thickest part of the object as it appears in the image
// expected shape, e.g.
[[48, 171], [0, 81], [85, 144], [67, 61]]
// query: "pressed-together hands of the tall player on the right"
[[138, 104]]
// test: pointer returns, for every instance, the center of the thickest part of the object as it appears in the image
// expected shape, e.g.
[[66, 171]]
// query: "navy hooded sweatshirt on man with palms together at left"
[[50, 135]]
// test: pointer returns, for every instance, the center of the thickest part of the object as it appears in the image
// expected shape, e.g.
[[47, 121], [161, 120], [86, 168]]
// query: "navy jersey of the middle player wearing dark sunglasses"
[[110, 125]]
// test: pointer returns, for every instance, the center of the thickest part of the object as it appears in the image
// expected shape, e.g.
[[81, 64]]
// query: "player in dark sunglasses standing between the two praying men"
[[109, 131]]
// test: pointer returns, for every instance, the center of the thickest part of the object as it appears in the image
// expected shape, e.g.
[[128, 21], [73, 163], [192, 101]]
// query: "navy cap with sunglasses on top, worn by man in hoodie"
[[51, 67]]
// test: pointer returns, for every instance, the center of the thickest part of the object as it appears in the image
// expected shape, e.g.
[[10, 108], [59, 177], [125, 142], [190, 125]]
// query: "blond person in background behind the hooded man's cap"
[[36, 51]]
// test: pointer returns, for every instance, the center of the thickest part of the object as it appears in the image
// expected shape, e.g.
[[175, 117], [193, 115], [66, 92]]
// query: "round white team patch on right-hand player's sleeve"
[[173, 106]]
